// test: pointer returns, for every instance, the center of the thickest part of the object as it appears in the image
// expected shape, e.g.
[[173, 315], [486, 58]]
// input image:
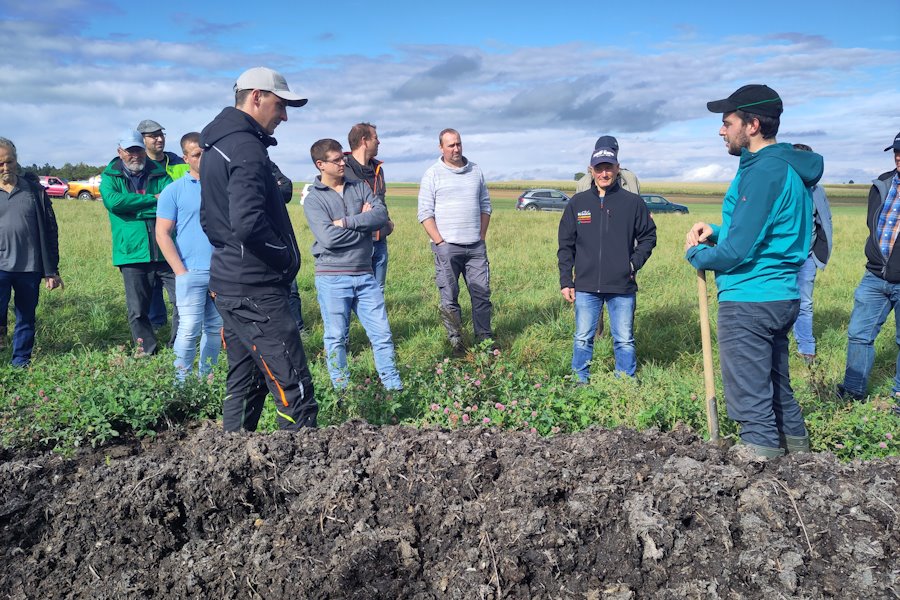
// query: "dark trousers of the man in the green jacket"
[[140, 278]]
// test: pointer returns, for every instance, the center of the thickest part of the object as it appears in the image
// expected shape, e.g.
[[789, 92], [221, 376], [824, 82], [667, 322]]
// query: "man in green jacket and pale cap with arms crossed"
[[130, 187]]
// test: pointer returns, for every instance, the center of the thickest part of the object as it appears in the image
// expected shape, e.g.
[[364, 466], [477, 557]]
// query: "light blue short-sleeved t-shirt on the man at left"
[[180, 202]]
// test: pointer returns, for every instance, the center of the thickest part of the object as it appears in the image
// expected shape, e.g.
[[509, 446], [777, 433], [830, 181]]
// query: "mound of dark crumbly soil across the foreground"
[[393, 512]]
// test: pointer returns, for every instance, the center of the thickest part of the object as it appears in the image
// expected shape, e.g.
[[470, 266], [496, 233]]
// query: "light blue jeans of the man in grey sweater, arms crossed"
[[338, 296]]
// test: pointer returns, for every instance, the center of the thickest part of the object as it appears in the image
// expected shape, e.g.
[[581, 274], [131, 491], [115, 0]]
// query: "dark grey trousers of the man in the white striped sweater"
[[470, 261]]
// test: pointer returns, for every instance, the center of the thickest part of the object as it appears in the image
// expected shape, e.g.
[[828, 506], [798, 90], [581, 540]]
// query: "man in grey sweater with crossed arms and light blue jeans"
[[342, 215]]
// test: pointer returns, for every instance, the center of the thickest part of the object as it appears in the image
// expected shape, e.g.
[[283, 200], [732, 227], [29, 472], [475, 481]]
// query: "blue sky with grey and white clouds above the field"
[[529, 85]]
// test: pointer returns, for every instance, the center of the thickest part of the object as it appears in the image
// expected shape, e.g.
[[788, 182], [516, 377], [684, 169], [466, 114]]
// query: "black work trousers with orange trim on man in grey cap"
[[265, 355]]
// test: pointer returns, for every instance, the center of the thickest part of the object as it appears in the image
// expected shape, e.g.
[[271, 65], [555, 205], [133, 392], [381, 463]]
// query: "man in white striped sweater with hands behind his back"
[[455, 210]]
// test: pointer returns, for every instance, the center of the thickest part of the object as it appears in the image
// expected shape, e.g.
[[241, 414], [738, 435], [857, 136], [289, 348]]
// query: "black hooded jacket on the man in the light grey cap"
[[243, 211]]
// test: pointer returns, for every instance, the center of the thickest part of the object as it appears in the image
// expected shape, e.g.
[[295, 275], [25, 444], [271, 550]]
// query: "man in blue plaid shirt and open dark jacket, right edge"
[[879, 291]]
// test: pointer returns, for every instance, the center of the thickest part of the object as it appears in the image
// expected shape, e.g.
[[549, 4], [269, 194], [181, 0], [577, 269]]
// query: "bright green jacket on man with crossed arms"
[[132, 217]]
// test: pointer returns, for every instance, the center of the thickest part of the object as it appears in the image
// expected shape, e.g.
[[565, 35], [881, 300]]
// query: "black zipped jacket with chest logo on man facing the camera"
[[606, 240]]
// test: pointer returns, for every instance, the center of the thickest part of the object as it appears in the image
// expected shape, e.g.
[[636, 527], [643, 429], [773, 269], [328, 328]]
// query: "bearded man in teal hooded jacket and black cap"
[[756, 254]]
